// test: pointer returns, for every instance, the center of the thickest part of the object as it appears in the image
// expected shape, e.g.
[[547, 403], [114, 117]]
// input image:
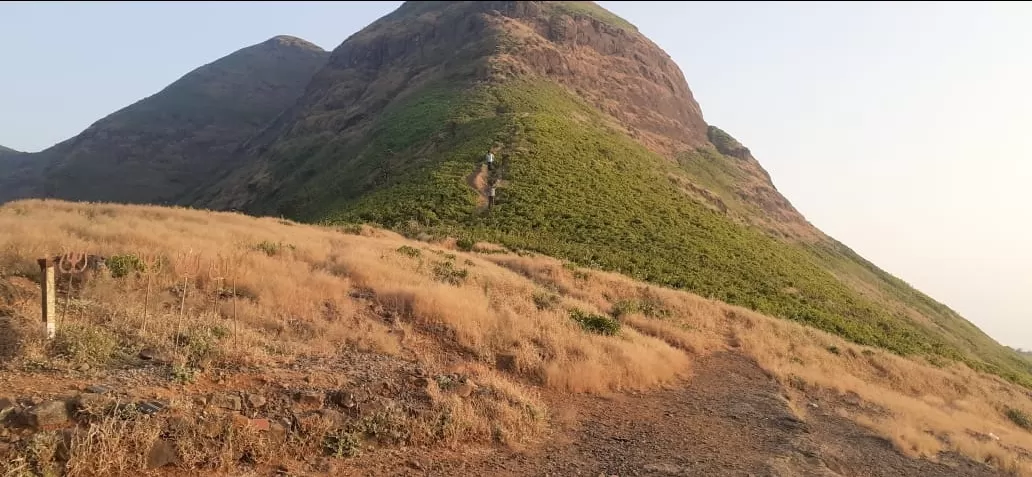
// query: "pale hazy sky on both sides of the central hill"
[[902, 130]]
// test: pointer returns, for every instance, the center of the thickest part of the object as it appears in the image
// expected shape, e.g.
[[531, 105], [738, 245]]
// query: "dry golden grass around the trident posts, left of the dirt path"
[[238, 292]]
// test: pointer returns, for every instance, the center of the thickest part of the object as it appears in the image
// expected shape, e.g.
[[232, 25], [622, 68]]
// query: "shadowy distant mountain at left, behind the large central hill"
[[164, 146]]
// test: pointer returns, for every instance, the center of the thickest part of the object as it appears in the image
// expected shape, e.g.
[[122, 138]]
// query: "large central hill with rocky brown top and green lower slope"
[[604, 158]]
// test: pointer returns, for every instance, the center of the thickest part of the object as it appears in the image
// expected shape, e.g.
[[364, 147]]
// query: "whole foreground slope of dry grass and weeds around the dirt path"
[[311, 299]]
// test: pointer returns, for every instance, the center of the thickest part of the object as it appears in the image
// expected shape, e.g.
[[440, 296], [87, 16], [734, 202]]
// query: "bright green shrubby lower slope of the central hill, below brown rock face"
[[586, 194]]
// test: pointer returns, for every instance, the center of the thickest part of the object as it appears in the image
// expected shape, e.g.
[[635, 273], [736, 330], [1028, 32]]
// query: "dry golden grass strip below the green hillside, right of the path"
[[929, 409]]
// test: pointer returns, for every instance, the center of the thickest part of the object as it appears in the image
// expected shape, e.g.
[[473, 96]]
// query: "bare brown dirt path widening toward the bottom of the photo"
[[729, 421]]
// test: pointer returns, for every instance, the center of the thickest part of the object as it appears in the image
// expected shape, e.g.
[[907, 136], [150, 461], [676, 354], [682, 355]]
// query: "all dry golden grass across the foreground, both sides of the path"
[[265, 292]]
